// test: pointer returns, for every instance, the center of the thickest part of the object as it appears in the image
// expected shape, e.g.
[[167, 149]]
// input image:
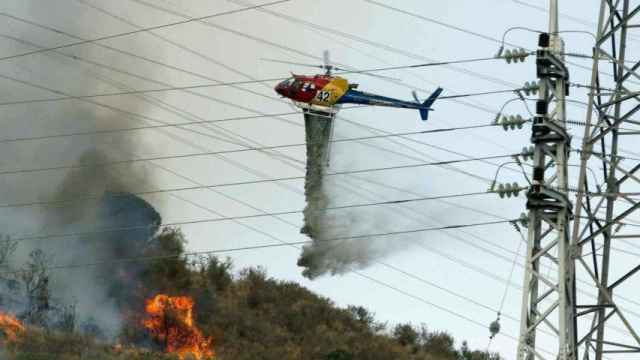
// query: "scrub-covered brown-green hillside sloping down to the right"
[[246, 316]]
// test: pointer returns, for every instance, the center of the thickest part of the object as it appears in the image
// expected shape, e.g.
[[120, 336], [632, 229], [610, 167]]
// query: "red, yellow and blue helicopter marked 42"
[[326, 92]]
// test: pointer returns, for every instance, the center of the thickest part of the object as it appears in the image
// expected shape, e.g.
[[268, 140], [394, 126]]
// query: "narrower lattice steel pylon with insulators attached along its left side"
[[549, 301]]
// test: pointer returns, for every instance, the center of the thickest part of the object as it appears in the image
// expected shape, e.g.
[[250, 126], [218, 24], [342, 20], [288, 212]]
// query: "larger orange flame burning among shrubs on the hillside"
[[170, 320]]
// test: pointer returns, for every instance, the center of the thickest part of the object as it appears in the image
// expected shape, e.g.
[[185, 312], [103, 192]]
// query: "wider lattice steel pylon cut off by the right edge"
[[601, 210]]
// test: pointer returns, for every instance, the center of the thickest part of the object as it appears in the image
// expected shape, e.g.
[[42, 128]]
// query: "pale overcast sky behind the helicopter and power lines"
[[474, 263]]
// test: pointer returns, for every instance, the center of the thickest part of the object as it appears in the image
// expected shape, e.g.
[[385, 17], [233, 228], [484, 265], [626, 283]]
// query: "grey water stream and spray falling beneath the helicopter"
[[326, 255]]
